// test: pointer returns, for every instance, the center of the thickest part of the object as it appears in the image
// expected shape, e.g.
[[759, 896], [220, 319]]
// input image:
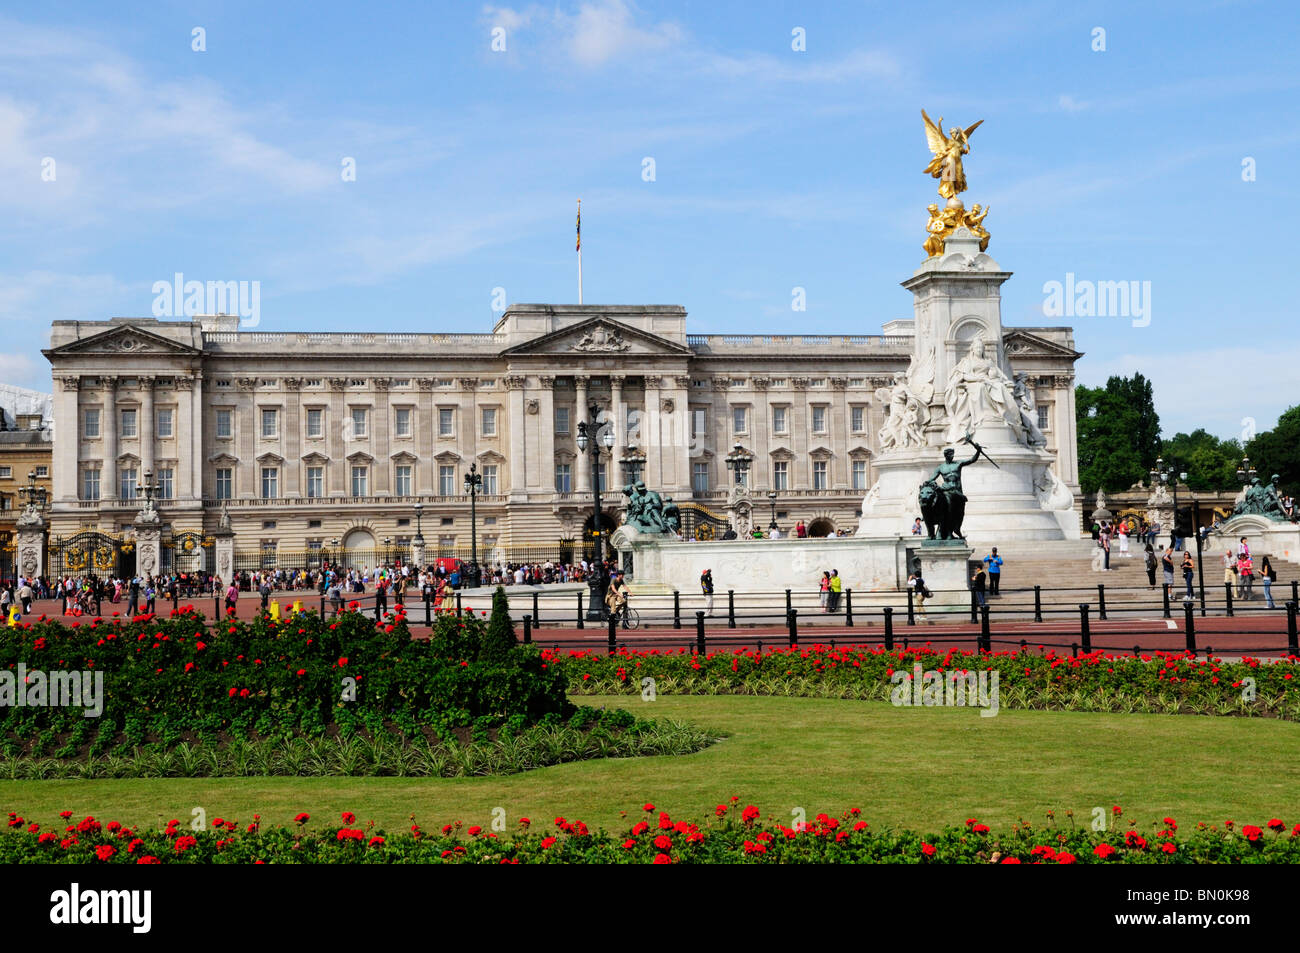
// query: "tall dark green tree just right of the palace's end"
[[1119, 432]]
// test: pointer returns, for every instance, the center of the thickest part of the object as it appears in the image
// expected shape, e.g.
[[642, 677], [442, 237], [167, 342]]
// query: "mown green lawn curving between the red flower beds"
[[915, 768]]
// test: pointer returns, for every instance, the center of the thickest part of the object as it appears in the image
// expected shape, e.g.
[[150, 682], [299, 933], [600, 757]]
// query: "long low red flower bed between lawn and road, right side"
[[1098, 682]]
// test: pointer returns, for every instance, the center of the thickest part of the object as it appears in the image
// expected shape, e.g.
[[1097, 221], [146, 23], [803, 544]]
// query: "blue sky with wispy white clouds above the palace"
[[774, 168]]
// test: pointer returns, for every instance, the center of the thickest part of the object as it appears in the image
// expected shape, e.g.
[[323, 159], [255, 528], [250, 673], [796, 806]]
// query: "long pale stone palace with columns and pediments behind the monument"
[[309, 444]]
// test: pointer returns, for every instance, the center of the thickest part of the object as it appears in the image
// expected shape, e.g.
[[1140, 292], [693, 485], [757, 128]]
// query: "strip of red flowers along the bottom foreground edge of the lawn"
[[733, 835]]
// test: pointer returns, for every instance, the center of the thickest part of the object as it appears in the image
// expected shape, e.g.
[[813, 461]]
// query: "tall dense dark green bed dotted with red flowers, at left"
[[175, 679]]
